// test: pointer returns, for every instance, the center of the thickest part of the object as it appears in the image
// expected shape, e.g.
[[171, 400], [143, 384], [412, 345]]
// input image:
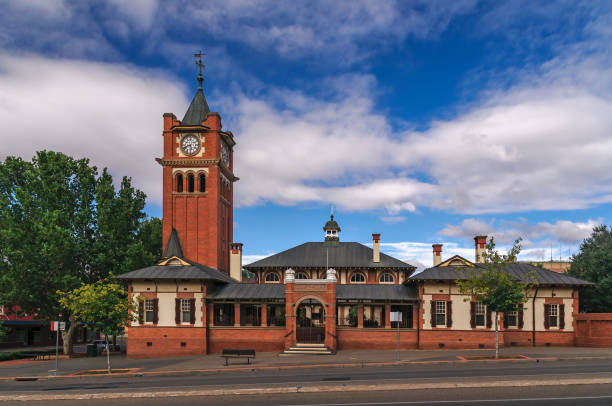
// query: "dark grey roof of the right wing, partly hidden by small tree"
[[523, 272]]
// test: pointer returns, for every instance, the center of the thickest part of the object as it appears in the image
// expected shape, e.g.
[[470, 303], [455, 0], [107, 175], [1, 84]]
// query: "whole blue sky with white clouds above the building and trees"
[[425, 121]]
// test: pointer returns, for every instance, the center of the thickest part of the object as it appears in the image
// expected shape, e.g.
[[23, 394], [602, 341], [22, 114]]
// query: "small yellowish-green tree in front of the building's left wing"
[[105, 305]]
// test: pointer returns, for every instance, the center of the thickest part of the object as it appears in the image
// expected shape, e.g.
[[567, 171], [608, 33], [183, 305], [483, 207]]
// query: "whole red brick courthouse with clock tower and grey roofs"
[[328, 294]]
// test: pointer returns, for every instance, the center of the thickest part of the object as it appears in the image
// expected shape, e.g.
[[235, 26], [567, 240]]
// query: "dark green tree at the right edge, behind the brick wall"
[[594, 263]]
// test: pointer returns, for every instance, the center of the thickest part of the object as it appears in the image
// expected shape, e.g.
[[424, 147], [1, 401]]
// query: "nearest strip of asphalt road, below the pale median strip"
[[588, 395]]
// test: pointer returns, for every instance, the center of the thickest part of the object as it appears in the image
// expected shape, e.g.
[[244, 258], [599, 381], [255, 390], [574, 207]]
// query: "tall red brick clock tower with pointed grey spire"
[[198, 183]]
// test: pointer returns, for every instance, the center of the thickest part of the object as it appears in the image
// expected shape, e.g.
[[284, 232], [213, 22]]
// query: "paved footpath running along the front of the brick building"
[[347, 358]]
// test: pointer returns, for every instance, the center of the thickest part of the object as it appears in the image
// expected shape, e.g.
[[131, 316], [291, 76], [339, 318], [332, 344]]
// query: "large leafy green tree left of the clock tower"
[[62, 224]]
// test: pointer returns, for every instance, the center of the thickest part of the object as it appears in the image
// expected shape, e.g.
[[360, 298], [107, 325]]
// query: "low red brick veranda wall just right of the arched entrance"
[[372, 338]]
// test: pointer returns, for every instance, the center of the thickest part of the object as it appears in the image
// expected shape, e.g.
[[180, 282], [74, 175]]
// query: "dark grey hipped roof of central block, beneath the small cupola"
[[341, 255]]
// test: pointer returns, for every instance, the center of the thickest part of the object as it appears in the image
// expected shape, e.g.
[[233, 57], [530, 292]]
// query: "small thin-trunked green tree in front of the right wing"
[[494, 287]]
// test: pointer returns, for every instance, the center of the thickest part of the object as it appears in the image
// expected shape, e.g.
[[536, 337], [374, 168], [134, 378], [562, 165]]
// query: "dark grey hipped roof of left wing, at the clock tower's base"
[[191, 271]]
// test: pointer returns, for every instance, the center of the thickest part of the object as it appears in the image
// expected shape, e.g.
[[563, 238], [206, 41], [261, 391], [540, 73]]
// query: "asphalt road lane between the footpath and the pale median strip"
[[485, 371]]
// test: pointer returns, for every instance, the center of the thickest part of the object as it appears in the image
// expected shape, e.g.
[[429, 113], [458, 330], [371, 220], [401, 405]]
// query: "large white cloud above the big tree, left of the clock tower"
[[111, 114]]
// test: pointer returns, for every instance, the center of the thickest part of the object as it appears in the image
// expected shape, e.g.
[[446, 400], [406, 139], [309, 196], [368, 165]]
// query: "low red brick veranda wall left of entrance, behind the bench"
[[262, 339]]
